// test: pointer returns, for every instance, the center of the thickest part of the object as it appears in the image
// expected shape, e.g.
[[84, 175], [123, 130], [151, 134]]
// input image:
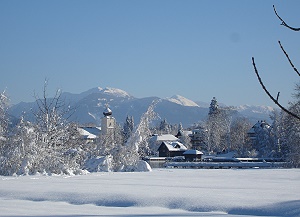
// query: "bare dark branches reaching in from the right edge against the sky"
[[276, 99]]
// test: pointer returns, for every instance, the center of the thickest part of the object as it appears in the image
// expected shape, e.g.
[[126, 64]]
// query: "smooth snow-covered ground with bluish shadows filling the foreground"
[[162, 192]]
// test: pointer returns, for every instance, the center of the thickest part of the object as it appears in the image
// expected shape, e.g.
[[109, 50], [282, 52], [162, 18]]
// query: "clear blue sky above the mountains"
[[197, 49]]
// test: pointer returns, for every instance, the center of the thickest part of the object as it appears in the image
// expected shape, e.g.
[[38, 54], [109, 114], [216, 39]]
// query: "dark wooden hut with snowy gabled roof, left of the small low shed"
[[171, 149]]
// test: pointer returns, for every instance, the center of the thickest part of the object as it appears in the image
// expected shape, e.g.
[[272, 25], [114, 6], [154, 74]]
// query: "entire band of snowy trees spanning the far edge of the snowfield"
[[53, 145]]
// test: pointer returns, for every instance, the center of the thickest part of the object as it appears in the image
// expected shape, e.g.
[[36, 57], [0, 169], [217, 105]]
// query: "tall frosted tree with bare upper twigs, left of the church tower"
[[56, 137]]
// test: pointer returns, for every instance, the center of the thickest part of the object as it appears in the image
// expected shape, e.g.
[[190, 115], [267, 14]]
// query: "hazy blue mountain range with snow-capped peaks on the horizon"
[[89, 106]]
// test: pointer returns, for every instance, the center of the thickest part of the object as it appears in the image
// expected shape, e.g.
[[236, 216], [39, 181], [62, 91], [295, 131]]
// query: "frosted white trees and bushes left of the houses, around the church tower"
[[53, 145]]
